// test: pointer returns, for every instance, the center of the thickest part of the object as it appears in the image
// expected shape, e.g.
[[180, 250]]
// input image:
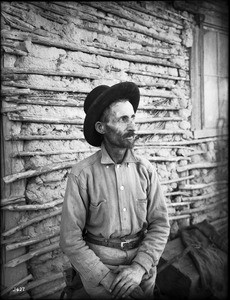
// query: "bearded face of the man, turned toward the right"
[[120, 126]]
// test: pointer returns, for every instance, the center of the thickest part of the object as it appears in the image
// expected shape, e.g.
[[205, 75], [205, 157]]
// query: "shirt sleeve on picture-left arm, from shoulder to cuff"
[[74, 212]]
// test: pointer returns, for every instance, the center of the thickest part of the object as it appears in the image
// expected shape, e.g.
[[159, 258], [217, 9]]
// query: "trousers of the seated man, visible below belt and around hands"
[[113, 258]]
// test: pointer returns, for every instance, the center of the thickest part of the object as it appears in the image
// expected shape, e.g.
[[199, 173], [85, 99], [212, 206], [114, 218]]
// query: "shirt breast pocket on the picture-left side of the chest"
[[98, 213]]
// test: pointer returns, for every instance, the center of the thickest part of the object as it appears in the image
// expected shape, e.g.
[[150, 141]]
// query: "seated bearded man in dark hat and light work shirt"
[[114, 220]]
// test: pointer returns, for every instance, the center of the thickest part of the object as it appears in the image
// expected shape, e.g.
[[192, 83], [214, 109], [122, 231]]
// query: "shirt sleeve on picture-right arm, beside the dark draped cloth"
[[158, 229]]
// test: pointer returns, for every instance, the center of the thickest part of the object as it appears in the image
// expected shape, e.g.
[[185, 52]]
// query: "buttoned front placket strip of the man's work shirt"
[[122, 196]]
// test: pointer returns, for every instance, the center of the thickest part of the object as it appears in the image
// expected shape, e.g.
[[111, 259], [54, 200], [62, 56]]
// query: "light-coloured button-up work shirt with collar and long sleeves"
[[112, 200]]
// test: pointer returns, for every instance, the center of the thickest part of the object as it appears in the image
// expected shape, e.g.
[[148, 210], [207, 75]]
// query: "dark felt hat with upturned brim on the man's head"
[[100, 98]]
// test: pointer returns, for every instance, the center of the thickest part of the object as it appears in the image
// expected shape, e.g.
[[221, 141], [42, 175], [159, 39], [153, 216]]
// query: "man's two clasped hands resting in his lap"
[[125, 279]]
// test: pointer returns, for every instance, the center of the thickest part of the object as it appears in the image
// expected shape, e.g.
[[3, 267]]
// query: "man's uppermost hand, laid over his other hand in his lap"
[[127, 279]]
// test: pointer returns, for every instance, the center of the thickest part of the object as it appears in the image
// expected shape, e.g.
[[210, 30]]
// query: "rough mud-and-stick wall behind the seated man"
[[54, 53]]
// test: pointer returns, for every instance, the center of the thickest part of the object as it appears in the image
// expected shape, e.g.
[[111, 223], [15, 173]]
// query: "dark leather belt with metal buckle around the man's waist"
[[118, 243]]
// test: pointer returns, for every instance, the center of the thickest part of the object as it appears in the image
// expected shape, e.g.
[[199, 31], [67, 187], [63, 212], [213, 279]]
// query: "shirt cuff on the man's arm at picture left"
[[96, 274]]
